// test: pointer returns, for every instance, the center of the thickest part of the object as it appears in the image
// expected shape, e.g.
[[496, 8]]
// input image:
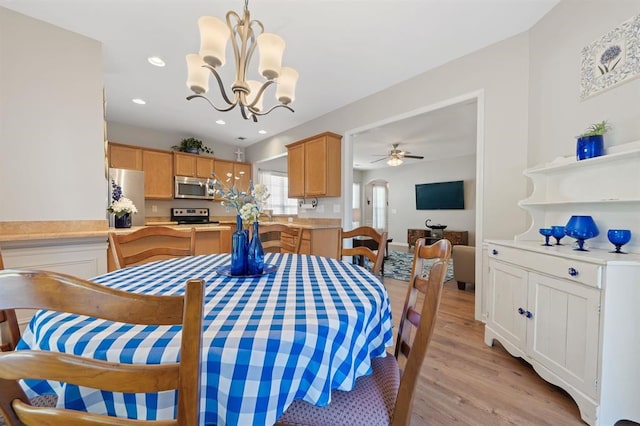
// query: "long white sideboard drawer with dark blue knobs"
[[570, 269]]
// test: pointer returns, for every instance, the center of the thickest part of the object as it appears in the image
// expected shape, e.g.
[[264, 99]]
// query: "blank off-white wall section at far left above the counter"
[[51, 123]]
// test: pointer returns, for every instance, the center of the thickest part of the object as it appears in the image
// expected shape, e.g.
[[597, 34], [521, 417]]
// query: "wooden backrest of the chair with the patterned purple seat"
[[424, 321]]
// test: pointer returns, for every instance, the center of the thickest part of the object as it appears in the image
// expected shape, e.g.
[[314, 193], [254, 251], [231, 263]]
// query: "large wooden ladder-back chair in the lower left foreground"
[[65, 293]]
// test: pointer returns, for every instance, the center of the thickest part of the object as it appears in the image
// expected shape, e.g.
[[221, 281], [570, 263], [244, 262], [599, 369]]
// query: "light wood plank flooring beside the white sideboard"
[[465, 382]]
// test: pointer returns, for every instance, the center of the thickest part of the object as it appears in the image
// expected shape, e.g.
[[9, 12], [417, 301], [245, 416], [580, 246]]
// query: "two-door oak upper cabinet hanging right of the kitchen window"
[[314, 166]]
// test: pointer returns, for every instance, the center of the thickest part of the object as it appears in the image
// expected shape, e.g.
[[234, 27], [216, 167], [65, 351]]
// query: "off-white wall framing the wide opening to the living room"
[[502, 72]]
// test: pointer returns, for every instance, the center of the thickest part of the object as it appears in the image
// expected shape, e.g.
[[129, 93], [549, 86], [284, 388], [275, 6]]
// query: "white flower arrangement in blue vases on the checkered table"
[[249, 204]]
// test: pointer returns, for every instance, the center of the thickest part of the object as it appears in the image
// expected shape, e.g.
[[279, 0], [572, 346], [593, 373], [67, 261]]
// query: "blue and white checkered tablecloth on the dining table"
[[310, 327]]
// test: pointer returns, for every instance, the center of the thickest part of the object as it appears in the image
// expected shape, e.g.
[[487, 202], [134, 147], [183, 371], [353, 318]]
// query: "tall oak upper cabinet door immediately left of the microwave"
[[158, 174]]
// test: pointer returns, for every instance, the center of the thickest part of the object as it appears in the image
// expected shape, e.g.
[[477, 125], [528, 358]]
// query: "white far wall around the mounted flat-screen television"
[[402, 205]]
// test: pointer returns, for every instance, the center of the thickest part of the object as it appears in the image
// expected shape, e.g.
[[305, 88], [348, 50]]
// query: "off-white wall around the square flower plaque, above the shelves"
[[556, 113]]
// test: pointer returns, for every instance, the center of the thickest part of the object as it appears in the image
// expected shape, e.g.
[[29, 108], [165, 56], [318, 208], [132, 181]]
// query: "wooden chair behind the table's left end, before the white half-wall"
[[151, 243]]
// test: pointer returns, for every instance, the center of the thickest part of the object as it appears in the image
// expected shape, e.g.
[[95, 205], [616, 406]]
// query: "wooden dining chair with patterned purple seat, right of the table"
[[386, 396]]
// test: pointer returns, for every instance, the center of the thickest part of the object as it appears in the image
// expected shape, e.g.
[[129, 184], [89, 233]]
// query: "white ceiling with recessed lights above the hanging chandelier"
[[344, 50]]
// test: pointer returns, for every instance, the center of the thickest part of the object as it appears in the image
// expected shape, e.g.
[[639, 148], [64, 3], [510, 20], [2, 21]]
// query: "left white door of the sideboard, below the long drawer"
[[507, 299]]
